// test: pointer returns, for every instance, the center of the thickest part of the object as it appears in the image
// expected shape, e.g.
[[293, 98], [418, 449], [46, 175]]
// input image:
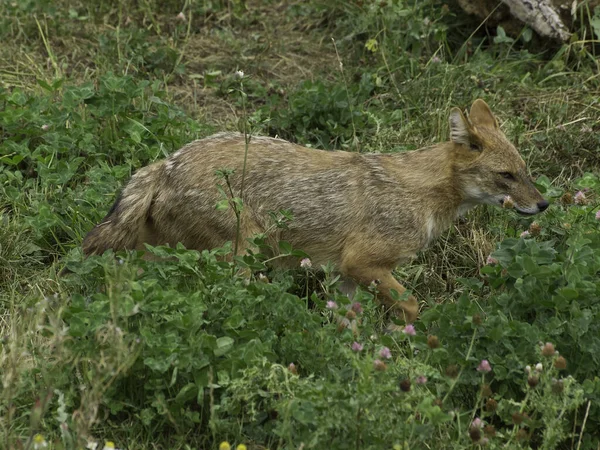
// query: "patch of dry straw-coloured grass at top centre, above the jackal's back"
[[271, 48]]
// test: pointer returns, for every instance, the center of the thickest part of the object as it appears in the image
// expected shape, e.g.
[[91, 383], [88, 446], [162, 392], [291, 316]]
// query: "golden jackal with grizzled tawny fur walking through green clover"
[[363, 212]]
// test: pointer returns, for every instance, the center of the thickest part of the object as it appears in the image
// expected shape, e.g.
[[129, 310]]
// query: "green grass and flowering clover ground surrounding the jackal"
[[187, 355]]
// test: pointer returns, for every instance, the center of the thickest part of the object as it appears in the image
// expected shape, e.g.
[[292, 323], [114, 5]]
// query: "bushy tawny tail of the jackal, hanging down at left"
[[121, 227]]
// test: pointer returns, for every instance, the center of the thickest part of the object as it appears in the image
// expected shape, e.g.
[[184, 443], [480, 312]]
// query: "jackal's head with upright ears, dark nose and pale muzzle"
[[487, 165]]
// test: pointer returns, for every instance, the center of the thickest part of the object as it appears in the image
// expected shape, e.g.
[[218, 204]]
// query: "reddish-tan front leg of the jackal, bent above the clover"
[[408, 310]]
